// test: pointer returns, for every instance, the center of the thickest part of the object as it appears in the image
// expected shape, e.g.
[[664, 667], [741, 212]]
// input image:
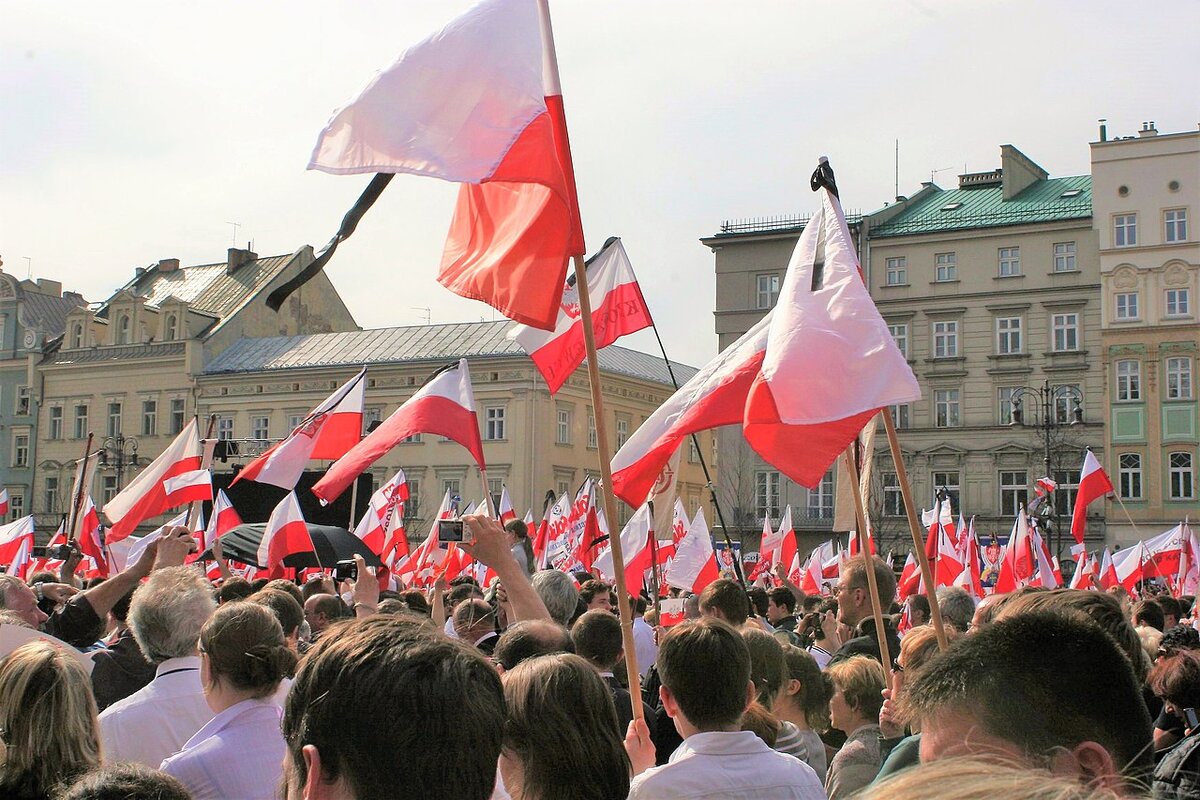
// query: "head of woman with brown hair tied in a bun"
[[243, 651]]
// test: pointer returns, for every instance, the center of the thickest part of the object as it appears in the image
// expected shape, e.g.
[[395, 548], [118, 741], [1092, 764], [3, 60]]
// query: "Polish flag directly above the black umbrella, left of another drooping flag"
[[328, 432]]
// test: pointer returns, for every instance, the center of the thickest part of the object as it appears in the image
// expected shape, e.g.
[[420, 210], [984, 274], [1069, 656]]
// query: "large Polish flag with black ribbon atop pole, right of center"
[[802, 383]]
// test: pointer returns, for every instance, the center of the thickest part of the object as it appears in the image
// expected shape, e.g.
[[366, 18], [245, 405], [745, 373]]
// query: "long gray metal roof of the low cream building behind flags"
[[415, 344]]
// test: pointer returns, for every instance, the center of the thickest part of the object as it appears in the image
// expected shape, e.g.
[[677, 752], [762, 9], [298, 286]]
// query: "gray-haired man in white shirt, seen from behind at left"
[[153, 724]]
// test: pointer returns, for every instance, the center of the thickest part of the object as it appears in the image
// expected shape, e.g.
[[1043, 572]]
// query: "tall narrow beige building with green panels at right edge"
[[1147, 197]]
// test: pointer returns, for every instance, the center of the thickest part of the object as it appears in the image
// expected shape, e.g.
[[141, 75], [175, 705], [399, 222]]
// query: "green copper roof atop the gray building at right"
[[1057, 199]]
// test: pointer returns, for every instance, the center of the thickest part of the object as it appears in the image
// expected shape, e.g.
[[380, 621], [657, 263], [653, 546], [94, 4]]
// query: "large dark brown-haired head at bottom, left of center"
[[388, 685]]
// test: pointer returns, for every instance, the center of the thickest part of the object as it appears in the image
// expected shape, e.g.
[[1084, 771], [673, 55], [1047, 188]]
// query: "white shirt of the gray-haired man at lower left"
[[157, 721]]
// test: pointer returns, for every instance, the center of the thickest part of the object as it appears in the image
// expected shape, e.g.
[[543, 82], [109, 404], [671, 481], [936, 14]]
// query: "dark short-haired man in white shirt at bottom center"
[[705, 666]]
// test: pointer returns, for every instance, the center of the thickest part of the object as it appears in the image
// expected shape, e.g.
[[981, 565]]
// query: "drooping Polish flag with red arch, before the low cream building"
[[446, 406]]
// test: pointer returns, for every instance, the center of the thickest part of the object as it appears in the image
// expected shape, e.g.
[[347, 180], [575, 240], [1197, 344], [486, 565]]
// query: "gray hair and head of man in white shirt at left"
[[169, 611]]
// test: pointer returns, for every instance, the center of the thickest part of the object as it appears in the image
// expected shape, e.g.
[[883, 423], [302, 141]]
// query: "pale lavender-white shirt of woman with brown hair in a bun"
[[239, 754]]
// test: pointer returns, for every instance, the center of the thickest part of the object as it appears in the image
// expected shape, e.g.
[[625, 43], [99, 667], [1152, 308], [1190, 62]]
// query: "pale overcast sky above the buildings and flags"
[[136, 131]]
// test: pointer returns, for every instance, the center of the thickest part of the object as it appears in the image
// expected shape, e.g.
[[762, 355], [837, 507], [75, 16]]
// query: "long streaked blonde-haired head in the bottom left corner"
[[49, 720]]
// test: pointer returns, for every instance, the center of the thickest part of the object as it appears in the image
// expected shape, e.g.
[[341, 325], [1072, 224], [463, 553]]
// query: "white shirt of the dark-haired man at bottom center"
[[736, 766]]
